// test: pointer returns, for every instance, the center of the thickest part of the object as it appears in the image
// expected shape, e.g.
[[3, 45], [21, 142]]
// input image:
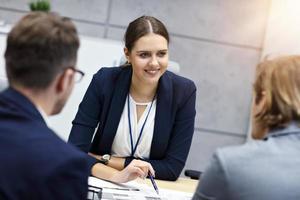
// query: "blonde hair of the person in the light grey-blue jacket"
[[278, 80]]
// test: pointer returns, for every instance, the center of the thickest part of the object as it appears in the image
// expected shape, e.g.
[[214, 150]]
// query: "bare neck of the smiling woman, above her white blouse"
[[142, 93]]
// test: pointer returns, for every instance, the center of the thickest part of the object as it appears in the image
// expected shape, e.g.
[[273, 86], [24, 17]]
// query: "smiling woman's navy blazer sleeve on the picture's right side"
[[170, 167]]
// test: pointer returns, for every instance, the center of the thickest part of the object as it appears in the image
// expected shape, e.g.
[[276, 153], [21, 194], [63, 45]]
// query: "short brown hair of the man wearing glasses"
[[39, 46]]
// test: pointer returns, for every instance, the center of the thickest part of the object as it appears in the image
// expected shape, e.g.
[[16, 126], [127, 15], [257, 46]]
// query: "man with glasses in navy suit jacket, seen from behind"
[[40, 57]]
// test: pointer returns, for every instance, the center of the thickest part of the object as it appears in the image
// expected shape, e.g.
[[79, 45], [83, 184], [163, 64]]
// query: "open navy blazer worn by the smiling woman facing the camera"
[[103, 105]]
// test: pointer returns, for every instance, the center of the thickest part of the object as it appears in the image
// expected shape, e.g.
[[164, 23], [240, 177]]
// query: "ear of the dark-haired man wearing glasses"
[[64, 81]]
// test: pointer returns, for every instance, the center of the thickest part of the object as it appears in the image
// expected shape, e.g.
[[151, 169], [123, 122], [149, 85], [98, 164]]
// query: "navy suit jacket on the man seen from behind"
[[36, 163]]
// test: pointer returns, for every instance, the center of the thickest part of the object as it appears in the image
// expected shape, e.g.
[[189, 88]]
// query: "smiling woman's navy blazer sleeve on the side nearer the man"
[[87, 117]]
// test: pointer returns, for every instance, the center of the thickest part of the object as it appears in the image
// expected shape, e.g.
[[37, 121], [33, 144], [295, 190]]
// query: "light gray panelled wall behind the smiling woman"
[[216, 42]]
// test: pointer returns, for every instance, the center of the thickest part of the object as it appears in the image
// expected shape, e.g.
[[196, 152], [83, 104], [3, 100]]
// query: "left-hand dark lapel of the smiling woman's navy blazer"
[[115, 110]]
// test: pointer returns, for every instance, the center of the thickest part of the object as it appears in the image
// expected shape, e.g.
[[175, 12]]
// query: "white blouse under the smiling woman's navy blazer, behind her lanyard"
[[121, 146]]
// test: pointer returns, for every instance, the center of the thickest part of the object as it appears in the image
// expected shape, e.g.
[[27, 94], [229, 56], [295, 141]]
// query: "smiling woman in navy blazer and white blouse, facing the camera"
[[144, 114]]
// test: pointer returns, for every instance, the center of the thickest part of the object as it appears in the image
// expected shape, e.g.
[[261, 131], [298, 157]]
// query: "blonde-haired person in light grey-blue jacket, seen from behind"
[[268, 167]]
